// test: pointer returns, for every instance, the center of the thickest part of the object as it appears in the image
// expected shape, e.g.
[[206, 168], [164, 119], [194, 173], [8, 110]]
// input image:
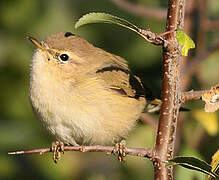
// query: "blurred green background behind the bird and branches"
[[20, 130]]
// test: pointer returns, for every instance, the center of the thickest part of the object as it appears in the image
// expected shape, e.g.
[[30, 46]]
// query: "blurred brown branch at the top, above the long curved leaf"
[[156, 13]]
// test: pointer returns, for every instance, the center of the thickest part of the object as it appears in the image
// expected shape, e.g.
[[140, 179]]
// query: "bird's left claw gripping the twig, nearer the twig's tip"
[[57, 149]]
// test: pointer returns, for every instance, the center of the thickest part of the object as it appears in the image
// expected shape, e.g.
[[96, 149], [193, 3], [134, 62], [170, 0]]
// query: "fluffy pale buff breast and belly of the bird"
[[85, 112]]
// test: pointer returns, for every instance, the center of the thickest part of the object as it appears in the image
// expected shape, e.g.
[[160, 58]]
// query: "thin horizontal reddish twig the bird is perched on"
[[140, 152]]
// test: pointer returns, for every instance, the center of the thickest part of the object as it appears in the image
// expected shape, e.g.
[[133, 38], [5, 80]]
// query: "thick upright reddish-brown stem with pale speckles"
[[164, 147]]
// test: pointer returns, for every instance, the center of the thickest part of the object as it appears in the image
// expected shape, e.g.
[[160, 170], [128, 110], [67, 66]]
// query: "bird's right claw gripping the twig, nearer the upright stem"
[[120, 150]]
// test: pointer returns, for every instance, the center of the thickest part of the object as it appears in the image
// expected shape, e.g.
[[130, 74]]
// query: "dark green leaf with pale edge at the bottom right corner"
[[192, 163]]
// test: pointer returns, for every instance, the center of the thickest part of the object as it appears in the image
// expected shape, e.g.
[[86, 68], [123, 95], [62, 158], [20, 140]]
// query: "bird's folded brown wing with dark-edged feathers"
[[119, 78]]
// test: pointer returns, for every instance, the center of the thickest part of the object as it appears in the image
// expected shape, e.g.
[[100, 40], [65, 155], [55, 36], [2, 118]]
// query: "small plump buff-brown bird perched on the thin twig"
[[83, 94]]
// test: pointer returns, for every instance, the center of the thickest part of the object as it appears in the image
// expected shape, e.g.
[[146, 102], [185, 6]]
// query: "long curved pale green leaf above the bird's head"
[[105, 18]]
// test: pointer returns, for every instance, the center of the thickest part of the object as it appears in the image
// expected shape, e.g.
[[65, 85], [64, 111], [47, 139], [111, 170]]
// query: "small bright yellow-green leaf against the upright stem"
[[185, 41]]
